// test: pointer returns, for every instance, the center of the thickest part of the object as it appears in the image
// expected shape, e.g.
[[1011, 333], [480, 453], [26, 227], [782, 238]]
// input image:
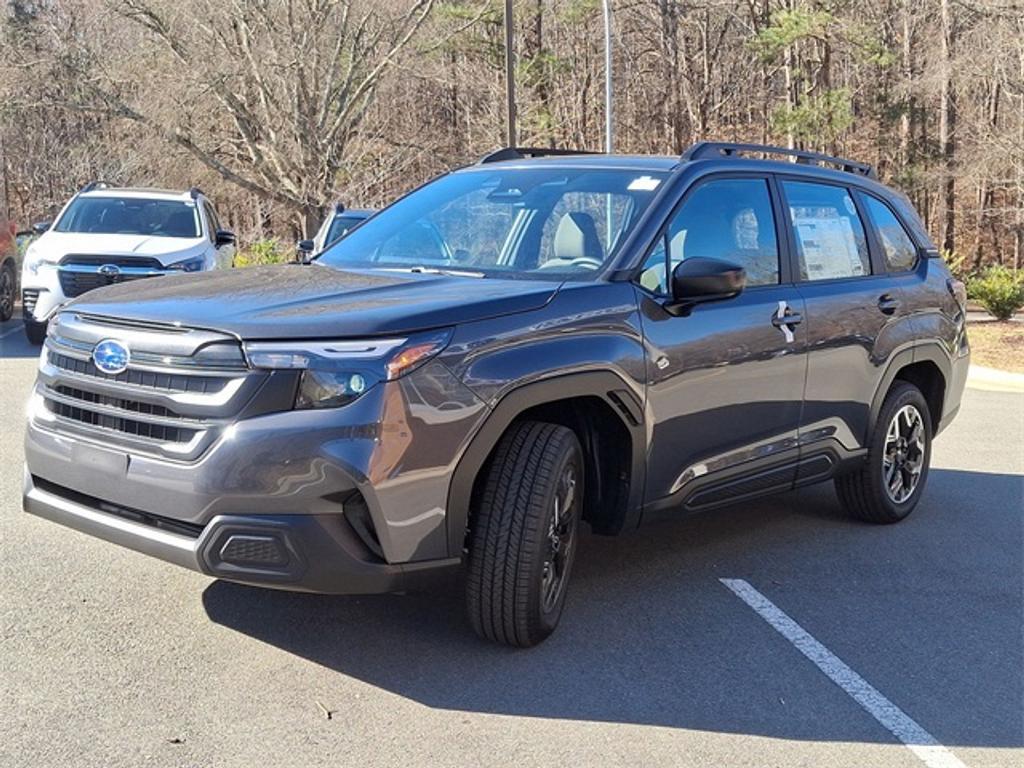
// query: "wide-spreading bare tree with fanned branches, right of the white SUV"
[[282, 87]]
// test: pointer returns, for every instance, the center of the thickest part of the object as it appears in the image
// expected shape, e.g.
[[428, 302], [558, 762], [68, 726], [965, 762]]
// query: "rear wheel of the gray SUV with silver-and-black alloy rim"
[[868, 494]]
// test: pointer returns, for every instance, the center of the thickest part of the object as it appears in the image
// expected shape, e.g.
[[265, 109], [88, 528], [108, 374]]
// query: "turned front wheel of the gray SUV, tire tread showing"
[[520, 561]]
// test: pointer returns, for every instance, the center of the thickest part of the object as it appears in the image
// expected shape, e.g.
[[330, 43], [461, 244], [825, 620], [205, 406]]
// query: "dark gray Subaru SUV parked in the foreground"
[[539, 342]]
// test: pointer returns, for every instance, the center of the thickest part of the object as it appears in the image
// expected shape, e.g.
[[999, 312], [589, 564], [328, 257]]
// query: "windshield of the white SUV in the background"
[[162, 219]]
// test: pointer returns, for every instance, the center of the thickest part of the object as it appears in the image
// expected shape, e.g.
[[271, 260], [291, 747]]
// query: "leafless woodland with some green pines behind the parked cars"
[[278, 108]]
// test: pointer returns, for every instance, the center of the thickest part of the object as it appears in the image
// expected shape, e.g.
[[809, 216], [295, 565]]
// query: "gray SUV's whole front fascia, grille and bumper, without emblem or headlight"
[[187, 445]]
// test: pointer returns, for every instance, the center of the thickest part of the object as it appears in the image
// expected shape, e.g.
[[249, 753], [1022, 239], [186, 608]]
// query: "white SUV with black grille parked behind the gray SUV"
[[105, 236]]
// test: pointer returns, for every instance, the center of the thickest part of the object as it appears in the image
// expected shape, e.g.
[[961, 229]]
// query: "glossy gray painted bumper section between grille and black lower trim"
[[394, 448]]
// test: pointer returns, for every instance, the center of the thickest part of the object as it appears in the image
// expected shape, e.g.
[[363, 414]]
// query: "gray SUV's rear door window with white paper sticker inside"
[[829, 234]]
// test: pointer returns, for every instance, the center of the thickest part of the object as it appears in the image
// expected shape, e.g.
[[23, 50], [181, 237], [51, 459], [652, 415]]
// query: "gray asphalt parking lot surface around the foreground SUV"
[[111, 659]]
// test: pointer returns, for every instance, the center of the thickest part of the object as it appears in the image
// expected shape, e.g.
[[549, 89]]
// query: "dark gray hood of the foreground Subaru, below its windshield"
[[310, 302]]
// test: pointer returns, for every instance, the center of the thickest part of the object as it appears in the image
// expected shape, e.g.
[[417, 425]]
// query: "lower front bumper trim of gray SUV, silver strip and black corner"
[[307, 552]]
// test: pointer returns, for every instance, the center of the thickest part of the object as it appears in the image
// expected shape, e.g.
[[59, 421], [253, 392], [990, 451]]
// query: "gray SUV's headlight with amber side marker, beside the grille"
[[336, 373]]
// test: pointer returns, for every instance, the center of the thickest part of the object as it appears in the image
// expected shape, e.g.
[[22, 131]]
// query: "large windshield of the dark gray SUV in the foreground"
[[537, 223]]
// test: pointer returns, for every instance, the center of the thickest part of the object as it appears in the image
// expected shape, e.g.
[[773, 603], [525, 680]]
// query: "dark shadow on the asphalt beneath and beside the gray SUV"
[[652, 637]]
